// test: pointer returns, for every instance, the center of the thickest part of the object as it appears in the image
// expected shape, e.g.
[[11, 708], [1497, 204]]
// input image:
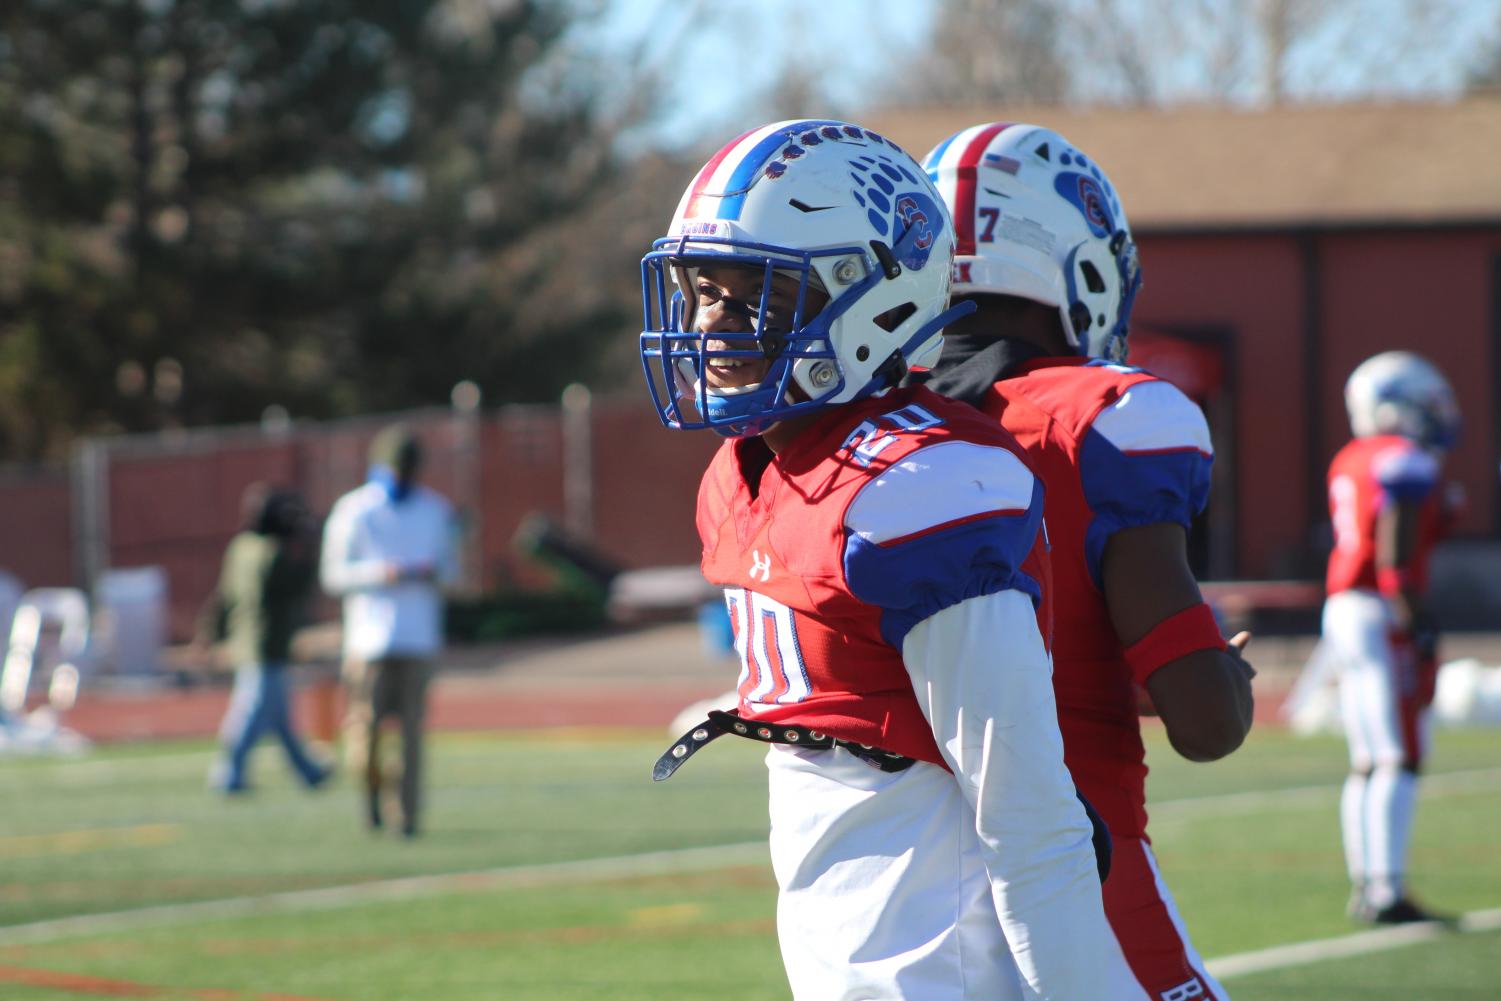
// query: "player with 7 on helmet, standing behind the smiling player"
[[1045, 253]]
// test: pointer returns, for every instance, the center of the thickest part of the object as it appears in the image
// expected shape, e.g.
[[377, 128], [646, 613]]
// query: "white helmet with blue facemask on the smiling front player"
[[841, 209]]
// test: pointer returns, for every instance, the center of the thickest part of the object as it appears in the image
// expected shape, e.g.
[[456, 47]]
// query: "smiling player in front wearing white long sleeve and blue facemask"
[[876, 549]]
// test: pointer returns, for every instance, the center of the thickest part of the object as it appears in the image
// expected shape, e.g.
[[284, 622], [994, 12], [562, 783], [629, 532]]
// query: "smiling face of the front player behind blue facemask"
[[729, 299]]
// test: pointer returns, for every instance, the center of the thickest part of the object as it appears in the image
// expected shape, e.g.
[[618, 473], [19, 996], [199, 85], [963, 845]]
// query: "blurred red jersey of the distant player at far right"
[[1367, 476]]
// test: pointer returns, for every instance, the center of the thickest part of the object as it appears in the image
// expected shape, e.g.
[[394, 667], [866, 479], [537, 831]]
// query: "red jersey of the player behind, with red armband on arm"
[[1116, 448]]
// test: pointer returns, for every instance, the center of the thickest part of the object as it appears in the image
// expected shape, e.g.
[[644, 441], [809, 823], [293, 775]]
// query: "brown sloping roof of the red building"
[[1293, 166]]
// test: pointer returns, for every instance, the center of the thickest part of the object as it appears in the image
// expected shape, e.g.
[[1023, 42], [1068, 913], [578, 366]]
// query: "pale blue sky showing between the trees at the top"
[[718, 59]]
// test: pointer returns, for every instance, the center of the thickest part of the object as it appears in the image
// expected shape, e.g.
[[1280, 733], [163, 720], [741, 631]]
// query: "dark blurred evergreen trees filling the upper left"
[[209, 206]]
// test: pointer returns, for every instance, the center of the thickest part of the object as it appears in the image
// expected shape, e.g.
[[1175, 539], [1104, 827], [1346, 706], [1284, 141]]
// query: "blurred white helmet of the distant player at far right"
[[1403, 394]]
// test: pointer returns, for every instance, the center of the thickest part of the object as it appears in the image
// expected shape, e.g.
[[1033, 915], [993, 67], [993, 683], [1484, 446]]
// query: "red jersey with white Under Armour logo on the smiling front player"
[[879, 516]]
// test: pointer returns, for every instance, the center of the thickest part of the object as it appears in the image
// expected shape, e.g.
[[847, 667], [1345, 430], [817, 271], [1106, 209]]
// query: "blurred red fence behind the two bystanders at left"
[[173, 500]]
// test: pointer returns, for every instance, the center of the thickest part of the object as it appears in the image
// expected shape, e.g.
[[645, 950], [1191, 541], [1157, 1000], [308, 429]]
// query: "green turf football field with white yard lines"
[[553, 870]]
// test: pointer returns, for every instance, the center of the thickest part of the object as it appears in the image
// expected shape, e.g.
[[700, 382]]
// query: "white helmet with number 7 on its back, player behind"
[[1036, 218]]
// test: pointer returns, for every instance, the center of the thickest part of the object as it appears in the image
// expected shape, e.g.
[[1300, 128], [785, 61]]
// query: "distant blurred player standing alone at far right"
[[1389, 510]]
